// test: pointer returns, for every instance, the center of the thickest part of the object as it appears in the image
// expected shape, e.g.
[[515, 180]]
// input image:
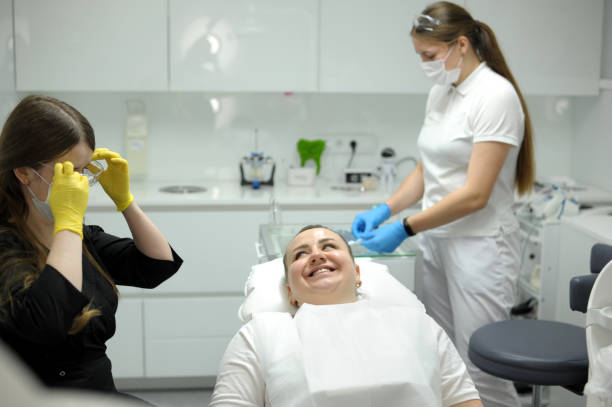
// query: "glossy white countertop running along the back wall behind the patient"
[[230, 193]]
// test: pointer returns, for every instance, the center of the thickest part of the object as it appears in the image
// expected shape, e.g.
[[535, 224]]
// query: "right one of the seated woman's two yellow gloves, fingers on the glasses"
[[115, 179]]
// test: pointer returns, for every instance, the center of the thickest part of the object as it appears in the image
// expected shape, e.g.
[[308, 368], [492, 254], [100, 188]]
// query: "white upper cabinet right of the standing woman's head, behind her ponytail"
[[553, 47]]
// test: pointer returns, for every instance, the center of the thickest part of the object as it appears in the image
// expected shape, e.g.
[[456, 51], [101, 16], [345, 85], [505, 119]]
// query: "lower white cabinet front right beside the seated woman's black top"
[[126, 347]]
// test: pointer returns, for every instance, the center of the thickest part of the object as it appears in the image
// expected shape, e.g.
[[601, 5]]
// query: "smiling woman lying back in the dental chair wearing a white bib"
[[342, 347]]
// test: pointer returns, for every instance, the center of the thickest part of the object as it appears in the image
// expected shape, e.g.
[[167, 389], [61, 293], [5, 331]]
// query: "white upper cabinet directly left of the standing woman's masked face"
[[366, 47]]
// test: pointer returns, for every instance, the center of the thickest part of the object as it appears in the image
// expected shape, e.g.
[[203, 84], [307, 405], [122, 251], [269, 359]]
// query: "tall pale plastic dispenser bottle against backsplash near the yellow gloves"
[[136, 130]]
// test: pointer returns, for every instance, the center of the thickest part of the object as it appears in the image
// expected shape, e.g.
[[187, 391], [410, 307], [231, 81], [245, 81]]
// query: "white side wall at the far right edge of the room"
[[592, 157]]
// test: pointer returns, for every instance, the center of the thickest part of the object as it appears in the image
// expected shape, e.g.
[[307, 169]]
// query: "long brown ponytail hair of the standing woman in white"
[[452, 21]]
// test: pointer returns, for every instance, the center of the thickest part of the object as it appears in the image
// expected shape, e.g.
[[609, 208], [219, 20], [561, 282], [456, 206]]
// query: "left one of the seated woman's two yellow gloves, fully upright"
[[68, 198]]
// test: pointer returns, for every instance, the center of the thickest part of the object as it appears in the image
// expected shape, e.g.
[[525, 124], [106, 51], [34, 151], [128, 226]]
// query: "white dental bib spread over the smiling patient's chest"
[[356, 354]]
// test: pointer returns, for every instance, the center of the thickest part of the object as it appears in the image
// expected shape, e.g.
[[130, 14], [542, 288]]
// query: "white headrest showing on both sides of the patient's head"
[[266, 291]]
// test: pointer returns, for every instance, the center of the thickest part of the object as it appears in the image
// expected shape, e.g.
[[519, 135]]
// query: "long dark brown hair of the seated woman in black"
[[38, 130]]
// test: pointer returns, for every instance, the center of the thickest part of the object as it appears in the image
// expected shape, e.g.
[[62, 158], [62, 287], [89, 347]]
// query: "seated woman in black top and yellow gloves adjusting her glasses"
[[59, 277]]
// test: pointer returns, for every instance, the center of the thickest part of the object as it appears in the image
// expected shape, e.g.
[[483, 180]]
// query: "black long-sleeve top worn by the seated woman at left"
[[41, 316]]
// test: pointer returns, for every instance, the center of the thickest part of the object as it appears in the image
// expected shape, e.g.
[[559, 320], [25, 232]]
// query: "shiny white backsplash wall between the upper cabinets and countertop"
[[188, 141]]
